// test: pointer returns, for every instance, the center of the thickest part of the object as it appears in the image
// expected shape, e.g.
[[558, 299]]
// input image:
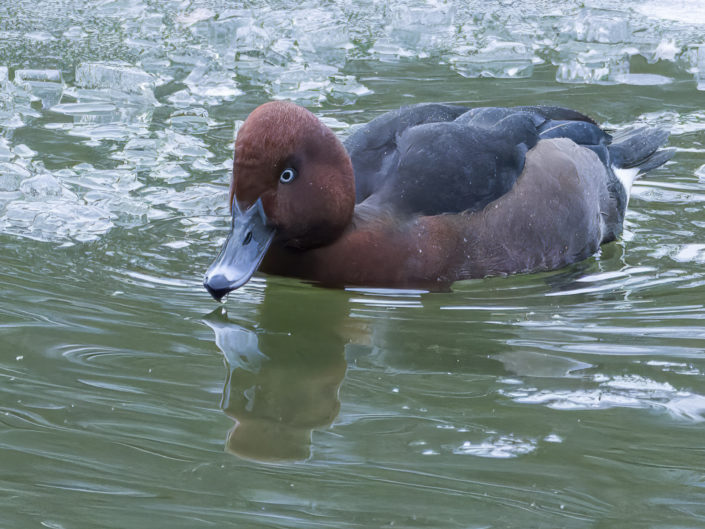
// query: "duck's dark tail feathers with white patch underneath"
[[638, 151]]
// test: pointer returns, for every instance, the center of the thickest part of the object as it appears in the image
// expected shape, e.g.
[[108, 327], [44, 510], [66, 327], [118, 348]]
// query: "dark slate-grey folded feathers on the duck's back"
[[434, 158]]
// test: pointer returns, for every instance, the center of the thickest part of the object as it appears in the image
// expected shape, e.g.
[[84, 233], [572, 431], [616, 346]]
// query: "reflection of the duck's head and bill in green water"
[[283, 380]]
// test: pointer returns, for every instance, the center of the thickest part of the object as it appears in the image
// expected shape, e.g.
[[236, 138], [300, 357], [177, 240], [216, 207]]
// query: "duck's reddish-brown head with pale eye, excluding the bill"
[[298, 167]]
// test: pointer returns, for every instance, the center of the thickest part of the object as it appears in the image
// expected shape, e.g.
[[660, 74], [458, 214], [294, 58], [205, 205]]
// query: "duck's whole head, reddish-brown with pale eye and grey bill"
[[292, 184]]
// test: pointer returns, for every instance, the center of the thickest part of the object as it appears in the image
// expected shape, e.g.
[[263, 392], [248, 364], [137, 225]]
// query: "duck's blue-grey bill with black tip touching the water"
[[242, 252]]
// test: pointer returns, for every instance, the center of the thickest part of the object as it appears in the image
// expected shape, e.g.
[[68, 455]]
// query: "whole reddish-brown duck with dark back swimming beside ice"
[[425, 195]]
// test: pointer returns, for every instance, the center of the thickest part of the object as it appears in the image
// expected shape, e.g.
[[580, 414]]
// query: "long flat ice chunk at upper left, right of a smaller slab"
[[117, 75]]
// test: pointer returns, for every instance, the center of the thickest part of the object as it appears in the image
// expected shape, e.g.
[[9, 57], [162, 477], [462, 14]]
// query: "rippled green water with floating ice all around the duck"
[[574, 398]]
